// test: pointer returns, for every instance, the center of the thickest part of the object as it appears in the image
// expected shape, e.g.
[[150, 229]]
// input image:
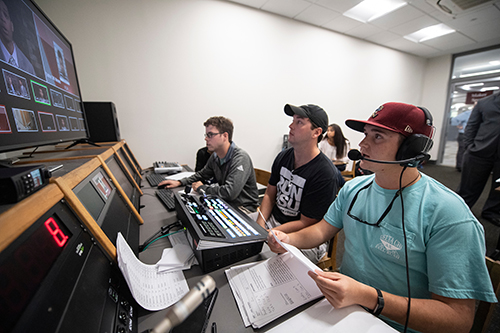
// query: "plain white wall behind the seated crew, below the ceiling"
[[168, 65]]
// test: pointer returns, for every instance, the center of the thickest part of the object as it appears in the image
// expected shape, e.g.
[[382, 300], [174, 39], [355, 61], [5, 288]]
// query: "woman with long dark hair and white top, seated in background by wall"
[[335, 146]]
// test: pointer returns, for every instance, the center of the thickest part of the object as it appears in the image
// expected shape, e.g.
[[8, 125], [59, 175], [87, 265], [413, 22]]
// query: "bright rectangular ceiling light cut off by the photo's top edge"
[[370, 10]]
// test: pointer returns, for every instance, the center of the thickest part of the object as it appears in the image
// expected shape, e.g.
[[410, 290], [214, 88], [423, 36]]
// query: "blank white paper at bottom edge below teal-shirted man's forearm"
[[322, 317]]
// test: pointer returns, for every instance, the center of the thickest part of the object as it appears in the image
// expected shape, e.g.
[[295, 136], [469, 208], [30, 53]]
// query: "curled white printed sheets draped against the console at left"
[[152, 290]]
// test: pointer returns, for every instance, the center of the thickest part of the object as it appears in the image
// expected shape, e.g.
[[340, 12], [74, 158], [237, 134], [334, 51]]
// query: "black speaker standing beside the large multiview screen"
[[102, 121]]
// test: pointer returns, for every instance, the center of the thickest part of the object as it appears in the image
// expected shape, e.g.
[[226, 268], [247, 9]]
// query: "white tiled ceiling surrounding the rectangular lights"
[[475, 28]]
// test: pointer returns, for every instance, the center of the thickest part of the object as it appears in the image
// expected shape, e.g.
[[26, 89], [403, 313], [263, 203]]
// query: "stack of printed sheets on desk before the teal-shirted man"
[[267, 290]]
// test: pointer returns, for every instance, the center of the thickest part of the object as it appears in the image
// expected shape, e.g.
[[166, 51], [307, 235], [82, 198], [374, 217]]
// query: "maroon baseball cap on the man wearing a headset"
[[405, 119]]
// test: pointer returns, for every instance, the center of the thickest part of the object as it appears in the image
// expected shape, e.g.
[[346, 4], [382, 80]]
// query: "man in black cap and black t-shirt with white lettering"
[[303, 180]]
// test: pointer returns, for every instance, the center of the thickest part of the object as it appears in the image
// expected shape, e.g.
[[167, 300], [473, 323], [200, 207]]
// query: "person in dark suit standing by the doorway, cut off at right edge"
[[482, 157]]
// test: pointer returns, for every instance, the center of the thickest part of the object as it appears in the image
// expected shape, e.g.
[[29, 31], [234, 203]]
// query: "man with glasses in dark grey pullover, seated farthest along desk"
[[230, 165]]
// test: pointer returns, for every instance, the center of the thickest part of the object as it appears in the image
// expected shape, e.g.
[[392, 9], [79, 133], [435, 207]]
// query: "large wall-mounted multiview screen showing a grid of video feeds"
[[40, 100]]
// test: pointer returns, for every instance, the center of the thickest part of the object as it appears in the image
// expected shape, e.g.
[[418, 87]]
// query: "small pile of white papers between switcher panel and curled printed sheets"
[[179, 257]]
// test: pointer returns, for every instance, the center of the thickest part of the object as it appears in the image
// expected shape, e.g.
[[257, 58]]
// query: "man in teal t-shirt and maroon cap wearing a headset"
[[440, 244]]
